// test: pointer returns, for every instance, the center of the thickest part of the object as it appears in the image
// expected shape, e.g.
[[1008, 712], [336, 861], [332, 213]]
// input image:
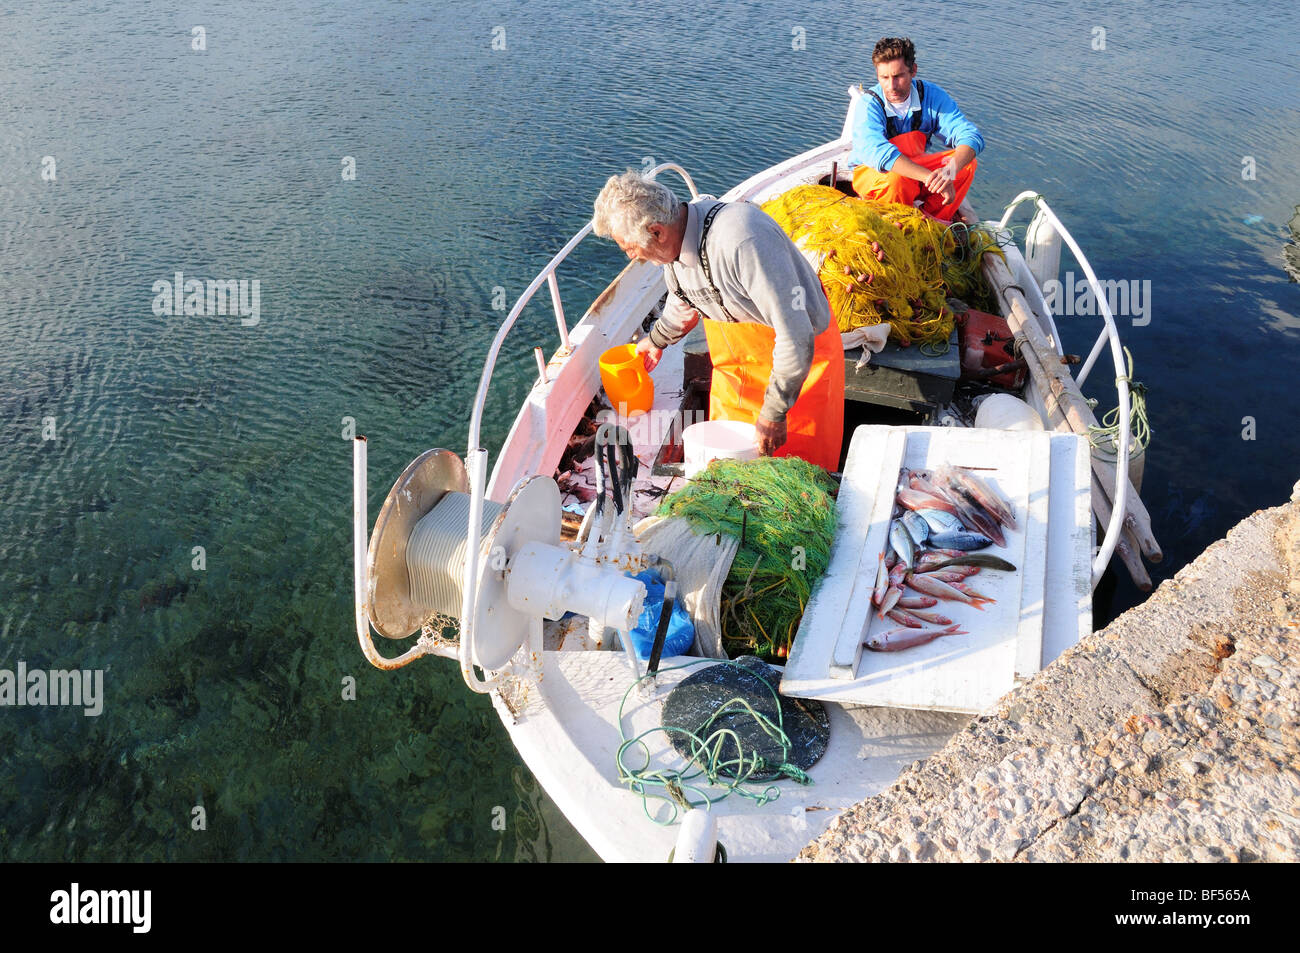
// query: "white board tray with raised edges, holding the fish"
[[1041, 609]]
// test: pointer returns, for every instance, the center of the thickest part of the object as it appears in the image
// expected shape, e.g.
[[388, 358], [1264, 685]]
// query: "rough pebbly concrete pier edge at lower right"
[[1171, 735]]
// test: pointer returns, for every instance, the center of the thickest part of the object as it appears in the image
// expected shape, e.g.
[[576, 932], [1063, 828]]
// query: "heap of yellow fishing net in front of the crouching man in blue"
[[883, 262]]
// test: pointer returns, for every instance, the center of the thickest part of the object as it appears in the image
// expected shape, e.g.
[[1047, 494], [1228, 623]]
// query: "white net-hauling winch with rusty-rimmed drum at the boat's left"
[[413, 577]]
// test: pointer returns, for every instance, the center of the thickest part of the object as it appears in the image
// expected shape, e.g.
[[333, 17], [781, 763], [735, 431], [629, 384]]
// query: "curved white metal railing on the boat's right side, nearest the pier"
[[1110, 335]]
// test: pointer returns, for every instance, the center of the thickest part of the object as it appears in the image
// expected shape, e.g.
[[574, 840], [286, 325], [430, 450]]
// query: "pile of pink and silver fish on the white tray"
[[943, 521]]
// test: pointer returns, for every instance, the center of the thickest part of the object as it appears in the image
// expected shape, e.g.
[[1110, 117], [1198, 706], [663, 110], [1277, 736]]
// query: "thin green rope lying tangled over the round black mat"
[[707, 765]]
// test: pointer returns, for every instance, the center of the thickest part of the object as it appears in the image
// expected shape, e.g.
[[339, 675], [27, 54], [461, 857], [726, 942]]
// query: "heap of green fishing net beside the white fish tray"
[[782, 513]]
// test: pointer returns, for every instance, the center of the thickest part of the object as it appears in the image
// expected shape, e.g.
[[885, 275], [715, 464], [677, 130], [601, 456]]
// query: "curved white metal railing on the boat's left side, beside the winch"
[[476, 457]]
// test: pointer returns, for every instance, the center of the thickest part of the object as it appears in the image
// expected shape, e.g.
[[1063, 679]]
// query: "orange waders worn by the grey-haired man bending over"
[[743, 365]]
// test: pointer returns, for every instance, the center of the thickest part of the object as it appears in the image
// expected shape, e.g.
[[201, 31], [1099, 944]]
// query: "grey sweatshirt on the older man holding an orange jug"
[[762, 279]]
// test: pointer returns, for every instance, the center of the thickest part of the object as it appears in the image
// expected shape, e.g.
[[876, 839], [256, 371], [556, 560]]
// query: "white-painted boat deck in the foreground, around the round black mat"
[[567, 730]]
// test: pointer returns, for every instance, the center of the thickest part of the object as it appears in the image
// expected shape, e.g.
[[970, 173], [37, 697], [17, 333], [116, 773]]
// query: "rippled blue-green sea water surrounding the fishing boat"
[[127, 157]]
